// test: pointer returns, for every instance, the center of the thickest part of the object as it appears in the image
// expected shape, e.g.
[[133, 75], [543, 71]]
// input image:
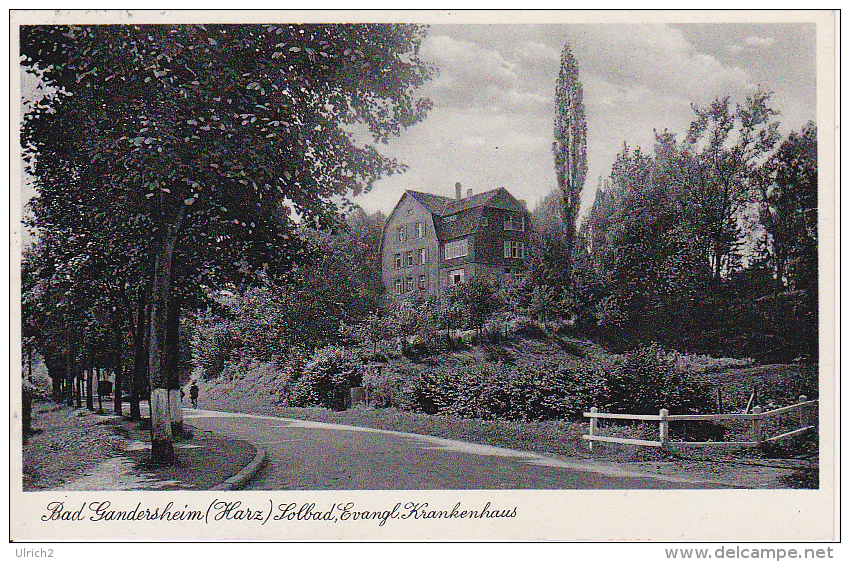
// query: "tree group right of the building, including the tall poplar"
[[705, 244]]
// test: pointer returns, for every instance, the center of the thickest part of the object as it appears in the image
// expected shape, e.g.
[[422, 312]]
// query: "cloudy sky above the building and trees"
[[491, 125]]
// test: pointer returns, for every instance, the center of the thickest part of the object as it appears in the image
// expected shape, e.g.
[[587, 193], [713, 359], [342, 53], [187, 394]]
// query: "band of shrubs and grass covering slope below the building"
[[542, 378]]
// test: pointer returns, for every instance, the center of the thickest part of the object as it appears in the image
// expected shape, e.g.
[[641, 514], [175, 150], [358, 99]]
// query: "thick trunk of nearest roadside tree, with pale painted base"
[[162, 447]]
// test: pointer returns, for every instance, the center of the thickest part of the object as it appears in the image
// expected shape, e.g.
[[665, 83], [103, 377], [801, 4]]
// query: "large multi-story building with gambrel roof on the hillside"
[[431, 241]]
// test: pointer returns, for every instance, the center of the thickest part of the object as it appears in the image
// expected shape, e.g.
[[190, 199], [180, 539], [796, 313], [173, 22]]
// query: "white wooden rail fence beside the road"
[[664, 419]]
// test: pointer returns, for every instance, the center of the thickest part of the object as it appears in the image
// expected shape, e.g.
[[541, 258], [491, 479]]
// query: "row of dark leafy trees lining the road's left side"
[[173, 160]]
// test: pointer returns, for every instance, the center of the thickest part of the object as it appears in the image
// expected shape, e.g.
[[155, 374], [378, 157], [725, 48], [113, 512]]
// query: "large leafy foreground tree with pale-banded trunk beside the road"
[[217, 138]]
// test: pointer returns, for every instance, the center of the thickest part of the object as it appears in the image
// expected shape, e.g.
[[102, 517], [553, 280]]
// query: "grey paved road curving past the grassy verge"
[[305, 455]]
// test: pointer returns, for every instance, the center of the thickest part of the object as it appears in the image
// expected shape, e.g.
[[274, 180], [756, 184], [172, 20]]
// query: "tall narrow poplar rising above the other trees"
[[570, 146]]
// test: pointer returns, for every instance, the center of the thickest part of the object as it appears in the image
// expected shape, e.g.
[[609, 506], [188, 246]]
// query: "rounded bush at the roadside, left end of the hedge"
[[327, 378]]
